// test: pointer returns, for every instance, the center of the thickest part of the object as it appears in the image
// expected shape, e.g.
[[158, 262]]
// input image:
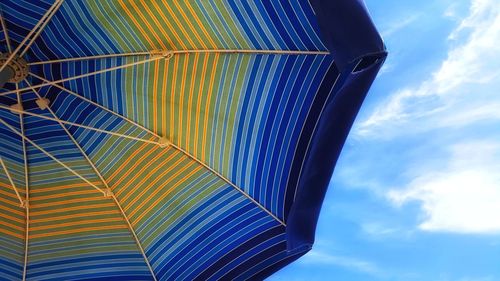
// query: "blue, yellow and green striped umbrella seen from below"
[[172, 139]]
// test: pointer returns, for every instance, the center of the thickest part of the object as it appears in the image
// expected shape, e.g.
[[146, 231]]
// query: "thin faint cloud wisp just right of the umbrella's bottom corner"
[[320, 258]]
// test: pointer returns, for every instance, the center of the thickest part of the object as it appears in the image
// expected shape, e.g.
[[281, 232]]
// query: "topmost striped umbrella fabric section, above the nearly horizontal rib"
[[102, 27]]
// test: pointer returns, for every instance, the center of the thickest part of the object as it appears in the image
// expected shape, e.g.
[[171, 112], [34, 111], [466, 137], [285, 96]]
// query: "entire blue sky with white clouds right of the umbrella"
[[416, 193]]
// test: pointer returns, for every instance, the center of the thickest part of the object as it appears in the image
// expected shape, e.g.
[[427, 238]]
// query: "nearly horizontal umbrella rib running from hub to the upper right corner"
[[178, 52]]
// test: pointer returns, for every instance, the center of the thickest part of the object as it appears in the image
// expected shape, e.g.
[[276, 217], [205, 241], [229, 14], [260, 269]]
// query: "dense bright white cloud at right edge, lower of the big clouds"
[[464, 197]]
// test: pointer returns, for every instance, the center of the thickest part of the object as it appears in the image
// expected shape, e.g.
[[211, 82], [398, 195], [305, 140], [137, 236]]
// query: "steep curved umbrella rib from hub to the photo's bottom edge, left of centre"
[[108, 189]]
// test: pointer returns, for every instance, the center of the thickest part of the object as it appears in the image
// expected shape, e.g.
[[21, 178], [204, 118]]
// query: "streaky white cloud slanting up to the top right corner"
[[467, 78]]
